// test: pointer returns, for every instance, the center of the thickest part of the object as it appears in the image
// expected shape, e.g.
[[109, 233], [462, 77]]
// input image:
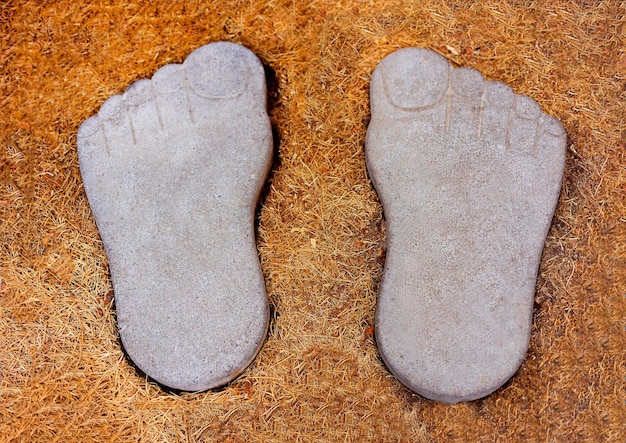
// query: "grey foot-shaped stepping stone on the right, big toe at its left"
[[469, 175]]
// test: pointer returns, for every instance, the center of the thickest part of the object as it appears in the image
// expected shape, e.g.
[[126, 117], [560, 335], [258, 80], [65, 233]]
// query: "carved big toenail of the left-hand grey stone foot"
[[218, 70]]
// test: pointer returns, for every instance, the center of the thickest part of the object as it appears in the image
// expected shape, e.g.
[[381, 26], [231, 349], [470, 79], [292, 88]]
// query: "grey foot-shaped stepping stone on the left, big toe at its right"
[[173, 169]]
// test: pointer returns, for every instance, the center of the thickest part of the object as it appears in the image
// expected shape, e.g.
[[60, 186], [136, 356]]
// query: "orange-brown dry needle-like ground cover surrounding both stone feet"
[[63, 374]]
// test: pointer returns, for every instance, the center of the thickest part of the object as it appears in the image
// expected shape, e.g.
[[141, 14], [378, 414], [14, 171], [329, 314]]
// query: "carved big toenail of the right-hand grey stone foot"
[[415, 78]]
